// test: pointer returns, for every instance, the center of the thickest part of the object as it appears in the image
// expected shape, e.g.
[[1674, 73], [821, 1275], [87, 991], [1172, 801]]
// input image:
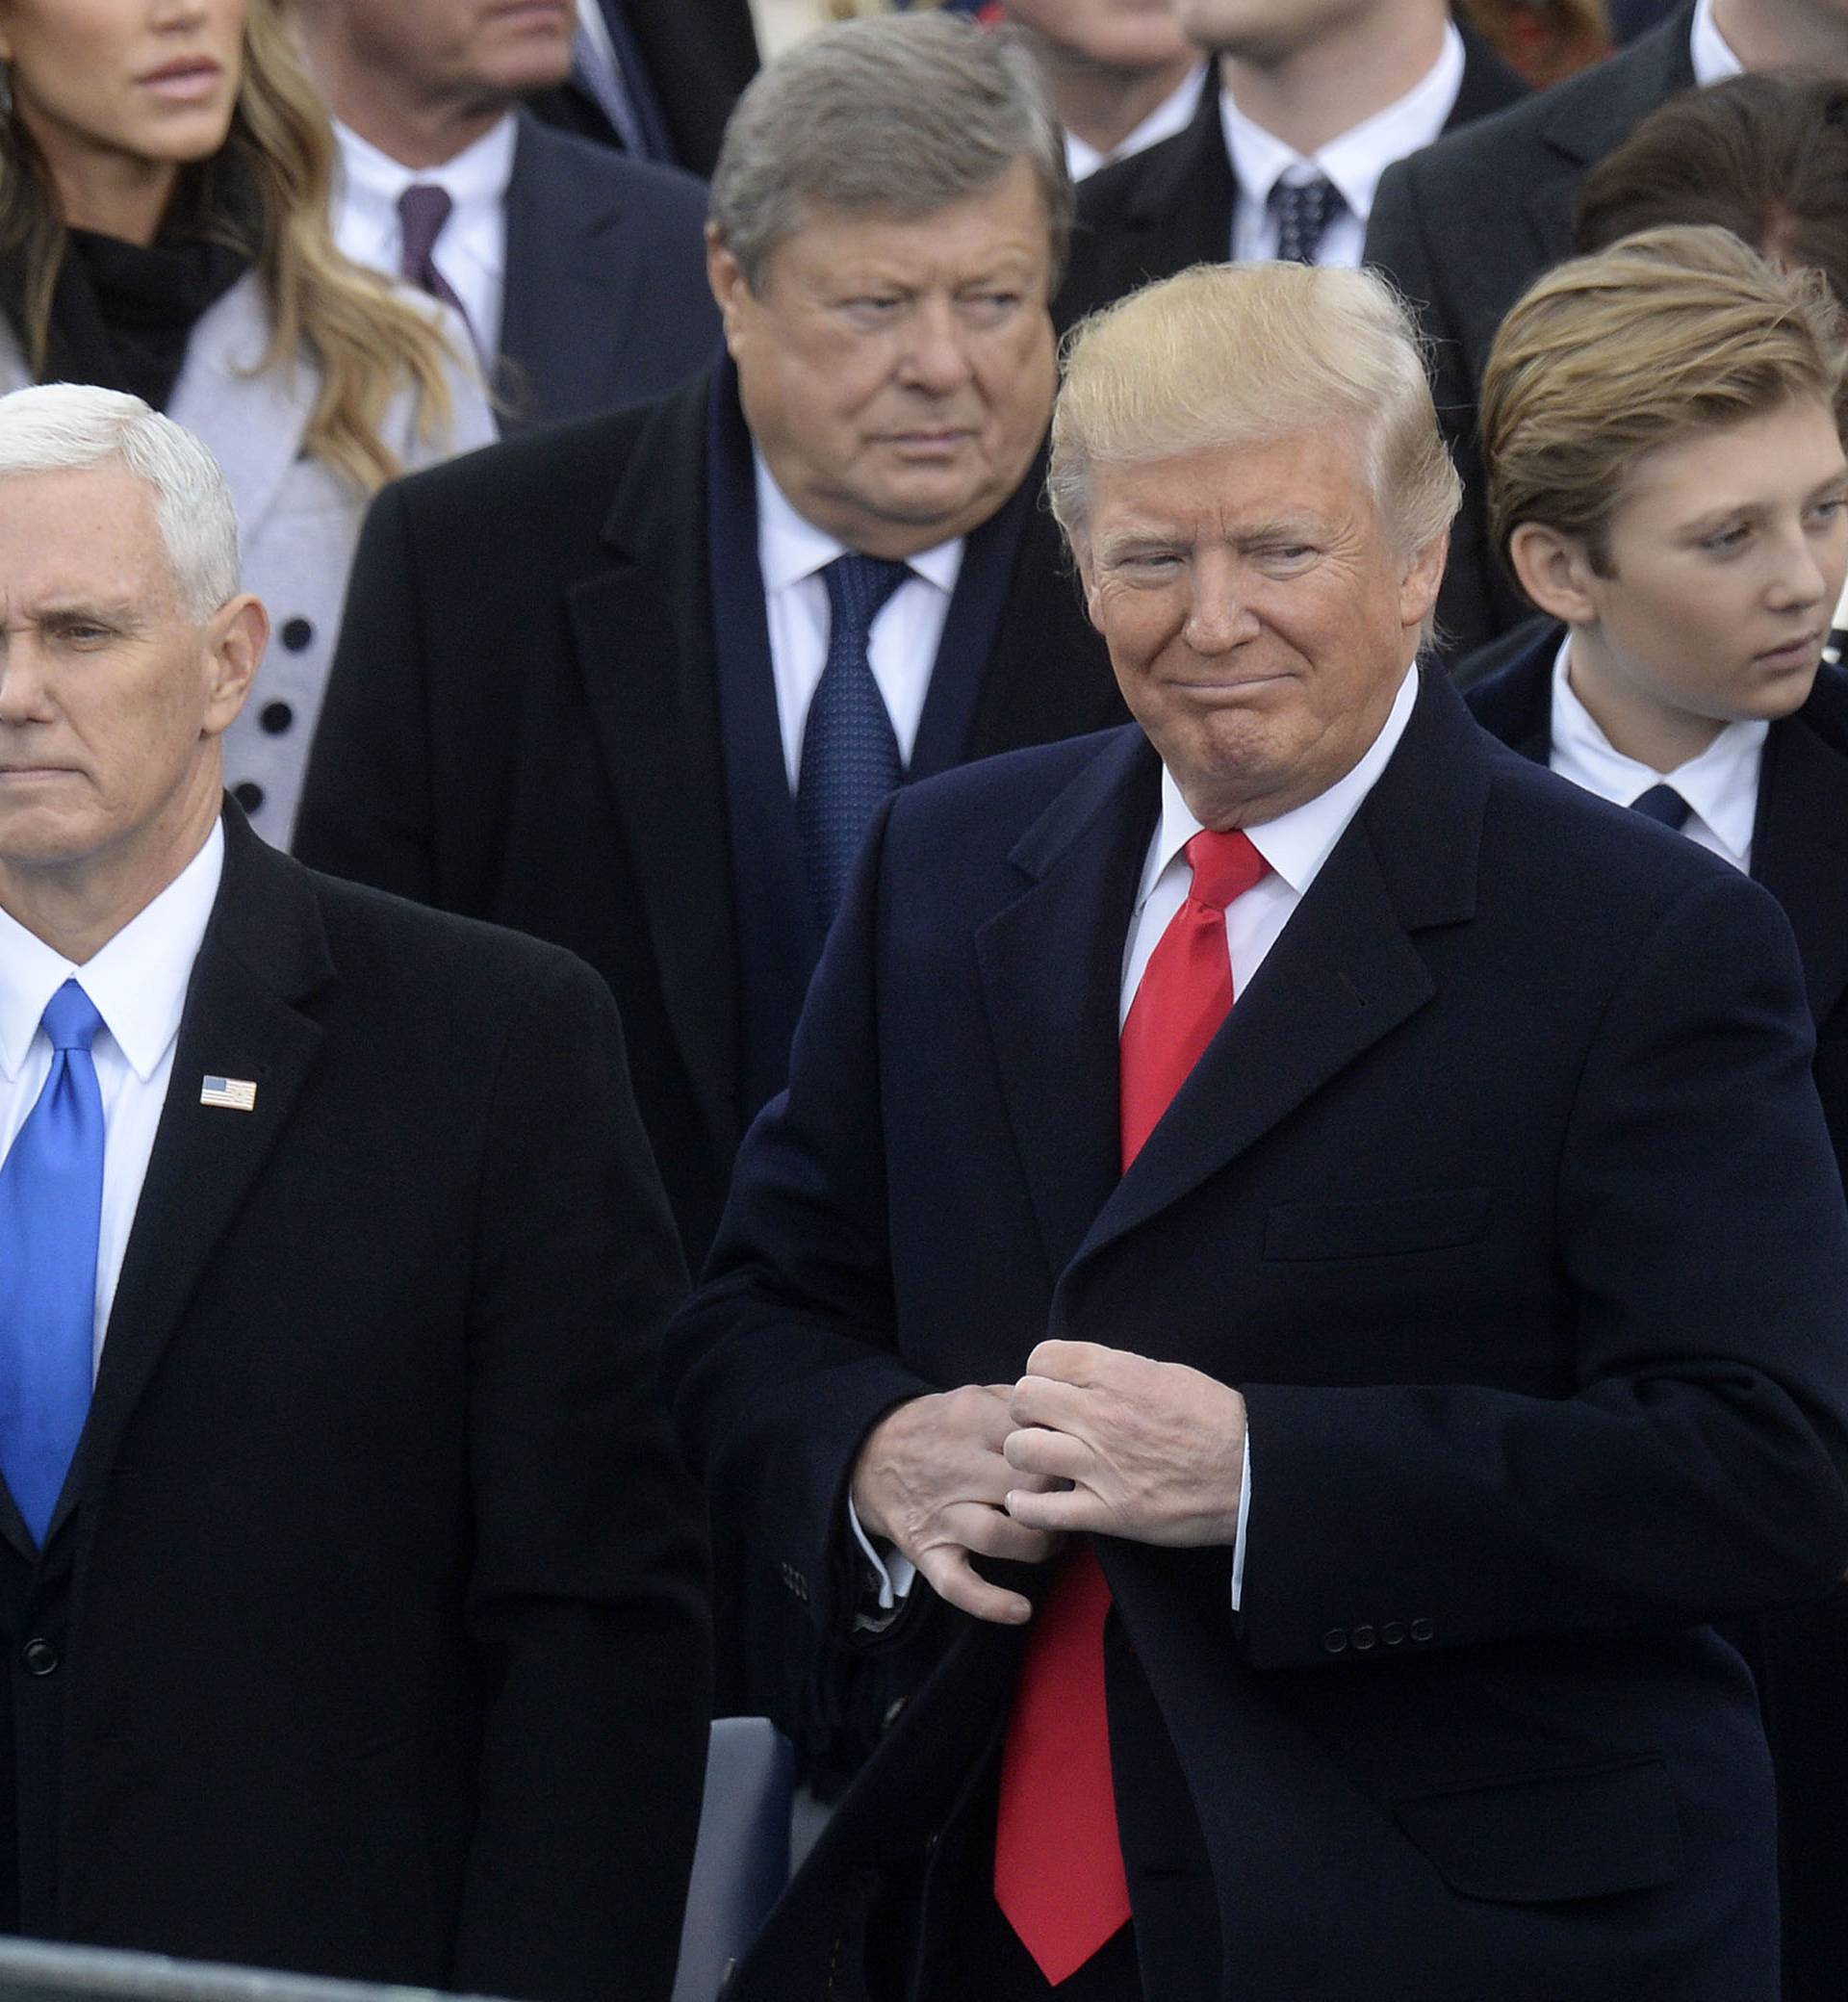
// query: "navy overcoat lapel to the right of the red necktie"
[[1340, 978]]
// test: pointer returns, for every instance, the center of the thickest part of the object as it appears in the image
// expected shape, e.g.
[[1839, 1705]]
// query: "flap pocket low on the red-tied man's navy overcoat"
[[1553, 1837]]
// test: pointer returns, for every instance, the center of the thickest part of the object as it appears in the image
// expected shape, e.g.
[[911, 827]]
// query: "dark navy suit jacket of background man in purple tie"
[[608, 295]]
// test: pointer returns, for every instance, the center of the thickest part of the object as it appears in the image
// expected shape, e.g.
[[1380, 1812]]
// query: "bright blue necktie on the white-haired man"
[[51, 1218]]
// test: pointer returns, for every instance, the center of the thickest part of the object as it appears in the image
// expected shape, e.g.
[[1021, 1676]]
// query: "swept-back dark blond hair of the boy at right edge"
[[1615, 355]]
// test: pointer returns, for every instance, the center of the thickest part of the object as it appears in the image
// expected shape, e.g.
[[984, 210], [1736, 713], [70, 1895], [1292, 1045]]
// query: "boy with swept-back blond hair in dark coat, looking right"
[[1667, 477]]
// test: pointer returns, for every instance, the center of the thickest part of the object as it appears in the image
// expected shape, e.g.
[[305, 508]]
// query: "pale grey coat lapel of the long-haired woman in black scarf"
[[249, 417]]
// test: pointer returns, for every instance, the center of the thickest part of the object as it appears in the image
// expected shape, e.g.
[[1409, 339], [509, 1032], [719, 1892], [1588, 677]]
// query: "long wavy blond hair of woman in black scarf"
[[365, 339]]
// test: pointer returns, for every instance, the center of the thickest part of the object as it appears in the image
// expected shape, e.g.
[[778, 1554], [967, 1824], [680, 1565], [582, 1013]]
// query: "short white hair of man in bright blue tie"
[[67, 427]]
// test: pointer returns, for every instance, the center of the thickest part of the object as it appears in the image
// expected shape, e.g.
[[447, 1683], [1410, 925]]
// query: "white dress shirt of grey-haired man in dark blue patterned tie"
[[902, 650]]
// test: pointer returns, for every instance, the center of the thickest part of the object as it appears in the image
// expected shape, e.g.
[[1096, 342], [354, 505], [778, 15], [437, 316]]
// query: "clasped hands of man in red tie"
[[1090, 1440]]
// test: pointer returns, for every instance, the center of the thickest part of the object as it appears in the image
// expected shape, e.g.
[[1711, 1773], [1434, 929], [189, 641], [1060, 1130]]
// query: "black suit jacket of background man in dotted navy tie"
[[1172, 205]]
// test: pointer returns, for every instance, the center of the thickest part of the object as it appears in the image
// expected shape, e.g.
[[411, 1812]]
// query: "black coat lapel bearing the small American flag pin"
[[263, 952]]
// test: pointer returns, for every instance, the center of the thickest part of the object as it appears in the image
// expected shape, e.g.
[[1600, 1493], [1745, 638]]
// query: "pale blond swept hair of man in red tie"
[[1248, 353]]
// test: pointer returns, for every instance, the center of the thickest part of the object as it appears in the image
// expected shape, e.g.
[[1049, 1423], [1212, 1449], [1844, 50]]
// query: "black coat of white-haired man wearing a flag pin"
[[369, 1633]]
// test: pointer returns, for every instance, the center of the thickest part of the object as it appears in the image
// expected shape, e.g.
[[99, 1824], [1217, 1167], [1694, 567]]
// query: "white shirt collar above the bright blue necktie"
[[137, 982]]
